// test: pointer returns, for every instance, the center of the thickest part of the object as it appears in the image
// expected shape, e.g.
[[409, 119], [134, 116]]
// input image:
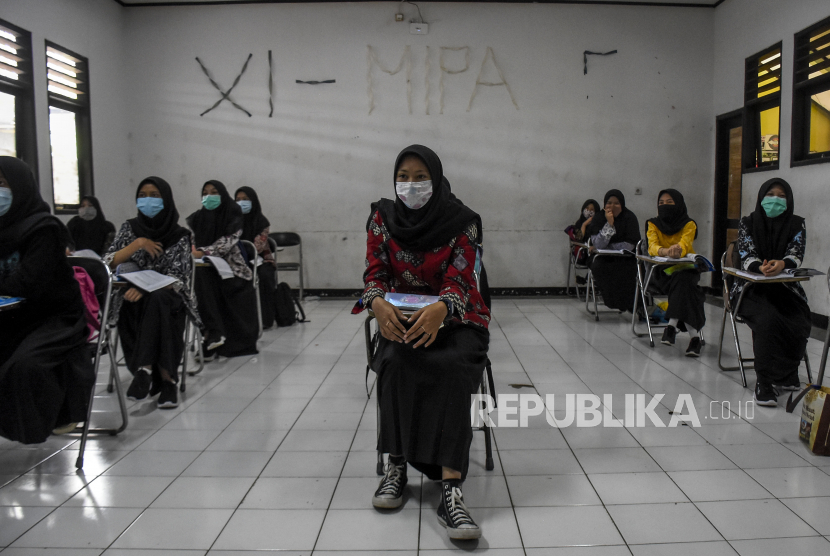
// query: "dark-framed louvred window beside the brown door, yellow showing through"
[[762, 110]]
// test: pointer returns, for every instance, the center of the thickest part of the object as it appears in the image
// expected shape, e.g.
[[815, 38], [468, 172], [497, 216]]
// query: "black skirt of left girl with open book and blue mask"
[[152, 332]]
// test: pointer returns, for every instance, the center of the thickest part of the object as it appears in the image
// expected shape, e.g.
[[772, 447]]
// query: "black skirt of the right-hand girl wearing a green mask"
[[780, 321]]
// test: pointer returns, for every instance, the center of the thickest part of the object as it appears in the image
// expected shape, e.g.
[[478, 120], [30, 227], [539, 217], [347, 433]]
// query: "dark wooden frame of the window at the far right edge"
[[801, 116]]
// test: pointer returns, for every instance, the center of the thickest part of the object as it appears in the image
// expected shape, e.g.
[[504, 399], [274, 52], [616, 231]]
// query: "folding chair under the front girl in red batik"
[[486, 386]]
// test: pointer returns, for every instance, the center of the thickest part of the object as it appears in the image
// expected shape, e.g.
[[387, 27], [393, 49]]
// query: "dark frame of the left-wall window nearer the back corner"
[[83, 128]]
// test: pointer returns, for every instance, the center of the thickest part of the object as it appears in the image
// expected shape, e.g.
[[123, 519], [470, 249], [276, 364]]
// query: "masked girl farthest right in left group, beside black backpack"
[[255, 228]]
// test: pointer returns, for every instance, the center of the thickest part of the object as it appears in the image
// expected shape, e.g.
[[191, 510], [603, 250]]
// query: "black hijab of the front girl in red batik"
[[436, 223]]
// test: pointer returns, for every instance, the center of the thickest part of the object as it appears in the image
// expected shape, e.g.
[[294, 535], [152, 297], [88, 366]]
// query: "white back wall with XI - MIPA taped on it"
[[640, 118]]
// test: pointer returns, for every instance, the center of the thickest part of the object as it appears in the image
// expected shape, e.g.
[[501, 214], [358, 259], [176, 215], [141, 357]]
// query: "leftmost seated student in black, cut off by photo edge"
[[46, 372]]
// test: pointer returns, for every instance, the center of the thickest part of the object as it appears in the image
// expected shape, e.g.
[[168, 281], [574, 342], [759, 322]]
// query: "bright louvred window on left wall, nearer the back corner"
[[70, 135]]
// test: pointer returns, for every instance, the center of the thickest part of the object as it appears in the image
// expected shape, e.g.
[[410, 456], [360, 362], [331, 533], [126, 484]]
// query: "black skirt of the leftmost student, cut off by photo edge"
[[46, 378]]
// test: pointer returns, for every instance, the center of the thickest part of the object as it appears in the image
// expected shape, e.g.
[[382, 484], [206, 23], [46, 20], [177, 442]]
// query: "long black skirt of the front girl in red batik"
[[425, 397]]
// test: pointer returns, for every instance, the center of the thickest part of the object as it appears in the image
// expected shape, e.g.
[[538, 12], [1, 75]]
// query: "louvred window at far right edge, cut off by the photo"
[[811, 95]]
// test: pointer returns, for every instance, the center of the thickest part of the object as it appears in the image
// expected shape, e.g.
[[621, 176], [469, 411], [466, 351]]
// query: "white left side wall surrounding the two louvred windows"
[[94, 29]]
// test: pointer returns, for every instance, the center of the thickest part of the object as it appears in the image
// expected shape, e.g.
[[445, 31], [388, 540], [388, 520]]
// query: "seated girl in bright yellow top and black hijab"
[[672, 234]]
